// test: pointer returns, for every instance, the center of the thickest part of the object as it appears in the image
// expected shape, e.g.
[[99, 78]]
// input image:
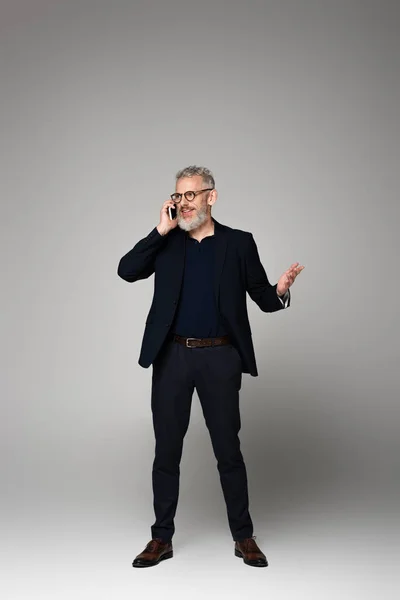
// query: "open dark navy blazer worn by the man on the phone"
[[238, 270]]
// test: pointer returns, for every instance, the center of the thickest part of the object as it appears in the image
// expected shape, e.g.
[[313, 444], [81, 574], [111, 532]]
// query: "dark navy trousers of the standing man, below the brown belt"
[[216, 374]]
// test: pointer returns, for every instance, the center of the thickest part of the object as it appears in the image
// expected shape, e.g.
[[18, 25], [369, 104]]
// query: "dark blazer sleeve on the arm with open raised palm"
[[257, 284]]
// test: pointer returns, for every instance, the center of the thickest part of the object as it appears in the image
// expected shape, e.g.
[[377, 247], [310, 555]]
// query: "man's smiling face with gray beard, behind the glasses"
[[192, 214]]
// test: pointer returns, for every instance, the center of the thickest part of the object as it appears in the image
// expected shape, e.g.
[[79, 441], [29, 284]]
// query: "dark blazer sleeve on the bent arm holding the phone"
[[139, 263]]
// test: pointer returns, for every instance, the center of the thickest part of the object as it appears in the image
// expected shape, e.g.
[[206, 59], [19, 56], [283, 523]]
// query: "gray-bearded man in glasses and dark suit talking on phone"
[[198, 335]]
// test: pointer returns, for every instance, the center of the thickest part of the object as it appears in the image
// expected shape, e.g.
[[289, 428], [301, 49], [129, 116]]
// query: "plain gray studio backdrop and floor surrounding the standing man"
[[295, 108]]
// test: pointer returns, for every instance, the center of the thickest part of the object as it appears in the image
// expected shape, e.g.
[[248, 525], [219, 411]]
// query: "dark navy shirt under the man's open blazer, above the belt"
[[197, 314]]
